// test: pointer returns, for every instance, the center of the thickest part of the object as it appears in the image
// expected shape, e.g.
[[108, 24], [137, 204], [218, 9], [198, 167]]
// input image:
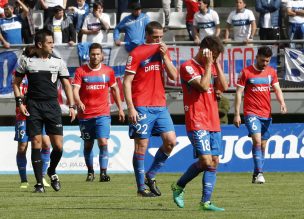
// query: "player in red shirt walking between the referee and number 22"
[[91, 93]]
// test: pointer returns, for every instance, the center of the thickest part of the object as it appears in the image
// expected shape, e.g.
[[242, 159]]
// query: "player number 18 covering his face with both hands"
[[201, 76]]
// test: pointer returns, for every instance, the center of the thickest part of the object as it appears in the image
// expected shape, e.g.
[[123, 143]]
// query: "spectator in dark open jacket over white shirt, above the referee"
[[62, 27]]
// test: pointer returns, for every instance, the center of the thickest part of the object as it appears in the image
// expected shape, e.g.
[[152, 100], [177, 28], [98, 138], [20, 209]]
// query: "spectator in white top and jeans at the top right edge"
[[295, 11]]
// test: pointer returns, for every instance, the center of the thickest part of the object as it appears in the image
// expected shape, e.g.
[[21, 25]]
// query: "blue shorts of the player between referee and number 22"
[[98, 127]]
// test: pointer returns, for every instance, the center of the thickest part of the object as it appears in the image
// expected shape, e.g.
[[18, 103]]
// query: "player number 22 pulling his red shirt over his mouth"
[[147, 112]]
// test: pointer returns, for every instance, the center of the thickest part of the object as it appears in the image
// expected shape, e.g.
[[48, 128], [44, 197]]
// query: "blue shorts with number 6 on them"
[[256, 124]]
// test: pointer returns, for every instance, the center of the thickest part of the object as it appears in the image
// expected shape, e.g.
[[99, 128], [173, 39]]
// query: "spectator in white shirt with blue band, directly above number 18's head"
[[206, 22]]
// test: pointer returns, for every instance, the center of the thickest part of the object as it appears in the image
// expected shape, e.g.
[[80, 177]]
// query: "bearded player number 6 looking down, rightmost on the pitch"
[[256, 82]]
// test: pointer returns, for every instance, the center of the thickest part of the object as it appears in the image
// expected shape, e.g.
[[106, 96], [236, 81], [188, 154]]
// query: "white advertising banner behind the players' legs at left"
[[120, 146]]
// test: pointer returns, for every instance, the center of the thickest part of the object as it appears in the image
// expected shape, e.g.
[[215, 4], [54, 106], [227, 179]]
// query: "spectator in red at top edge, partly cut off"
[[192, 7]]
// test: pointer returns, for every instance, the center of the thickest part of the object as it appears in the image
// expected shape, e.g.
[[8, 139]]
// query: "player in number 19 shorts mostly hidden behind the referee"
[[22, 138]]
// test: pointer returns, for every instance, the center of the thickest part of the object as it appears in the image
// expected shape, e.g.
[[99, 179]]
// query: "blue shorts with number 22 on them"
[[152, 121]]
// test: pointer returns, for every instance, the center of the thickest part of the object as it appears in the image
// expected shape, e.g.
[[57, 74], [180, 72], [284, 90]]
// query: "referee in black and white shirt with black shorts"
[[42, 108]]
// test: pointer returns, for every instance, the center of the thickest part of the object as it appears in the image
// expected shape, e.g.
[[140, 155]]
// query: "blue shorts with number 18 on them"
[[205, 143]]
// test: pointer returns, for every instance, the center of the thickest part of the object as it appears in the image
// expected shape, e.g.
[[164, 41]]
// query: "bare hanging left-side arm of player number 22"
[[127, 88]]
